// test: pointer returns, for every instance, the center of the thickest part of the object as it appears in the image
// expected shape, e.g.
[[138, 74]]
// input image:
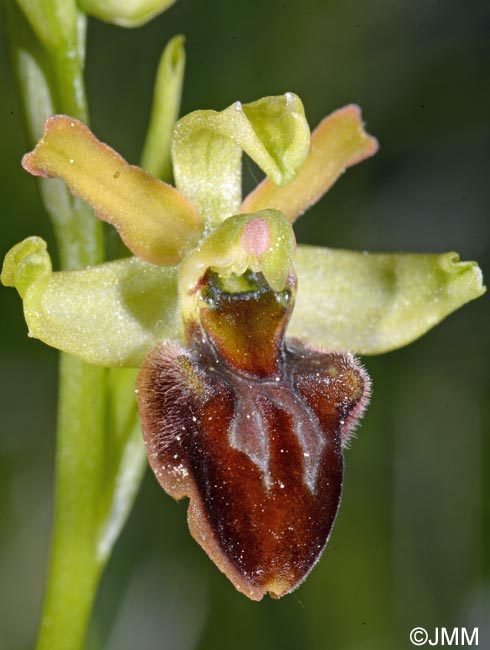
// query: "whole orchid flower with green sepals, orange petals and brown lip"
[[248, 390]]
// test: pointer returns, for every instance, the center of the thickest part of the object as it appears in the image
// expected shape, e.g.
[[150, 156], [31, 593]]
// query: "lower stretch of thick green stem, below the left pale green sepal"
[[75, 569]]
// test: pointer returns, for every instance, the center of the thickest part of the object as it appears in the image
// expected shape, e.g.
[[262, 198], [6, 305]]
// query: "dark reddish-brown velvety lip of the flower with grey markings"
[[251, 427]]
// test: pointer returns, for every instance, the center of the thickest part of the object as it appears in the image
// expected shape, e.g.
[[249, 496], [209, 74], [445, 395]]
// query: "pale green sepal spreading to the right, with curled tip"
[[373, 303]]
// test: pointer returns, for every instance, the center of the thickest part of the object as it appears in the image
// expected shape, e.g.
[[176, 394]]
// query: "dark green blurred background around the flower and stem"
[[411, 544]]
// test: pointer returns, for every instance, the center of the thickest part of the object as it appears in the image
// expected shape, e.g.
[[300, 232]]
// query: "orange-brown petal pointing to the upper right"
[[338, 142]]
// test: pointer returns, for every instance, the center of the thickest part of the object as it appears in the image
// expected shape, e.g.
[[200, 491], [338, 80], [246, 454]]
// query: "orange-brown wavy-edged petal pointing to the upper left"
[[155, 221]]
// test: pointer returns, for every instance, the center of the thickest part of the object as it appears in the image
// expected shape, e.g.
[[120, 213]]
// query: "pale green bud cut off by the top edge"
[[126, 13]]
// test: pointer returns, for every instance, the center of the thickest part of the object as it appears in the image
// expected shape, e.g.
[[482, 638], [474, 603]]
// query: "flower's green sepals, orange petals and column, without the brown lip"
[[115, 313]]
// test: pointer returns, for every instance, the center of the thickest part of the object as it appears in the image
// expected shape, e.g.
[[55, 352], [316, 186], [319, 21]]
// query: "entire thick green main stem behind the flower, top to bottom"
[[74, 564]]
